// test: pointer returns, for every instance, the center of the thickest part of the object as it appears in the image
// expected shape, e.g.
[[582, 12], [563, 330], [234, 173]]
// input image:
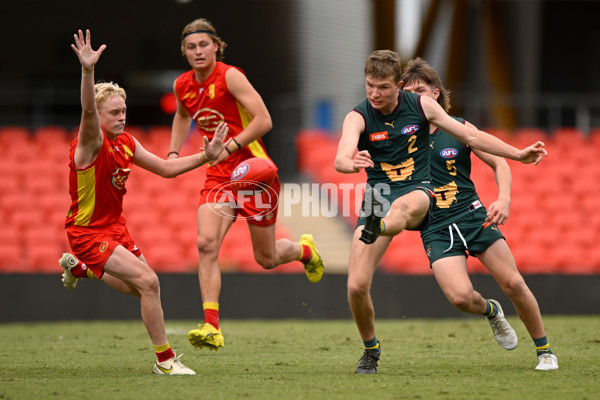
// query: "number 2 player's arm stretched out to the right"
[[478, 139]]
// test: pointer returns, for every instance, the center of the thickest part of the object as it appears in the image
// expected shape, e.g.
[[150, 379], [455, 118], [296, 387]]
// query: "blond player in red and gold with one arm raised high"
[[100, 162]]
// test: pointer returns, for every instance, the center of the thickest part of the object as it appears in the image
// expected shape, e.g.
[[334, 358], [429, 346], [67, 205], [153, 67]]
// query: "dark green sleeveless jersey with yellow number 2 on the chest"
[[397, 142]]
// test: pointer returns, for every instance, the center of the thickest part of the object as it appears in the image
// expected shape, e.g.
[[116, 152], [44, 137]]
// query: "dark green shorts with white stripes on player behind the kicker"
[[466, 236]]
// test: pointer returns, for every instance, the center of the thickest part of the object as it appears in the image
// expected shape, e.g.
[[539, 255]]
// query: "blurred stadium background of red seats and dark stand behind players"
[[522, 70]]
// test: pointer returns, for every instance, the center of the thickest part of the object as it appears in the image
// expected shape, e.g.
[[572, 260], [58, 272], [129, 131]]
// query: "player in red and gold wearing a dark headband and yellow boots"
[[210, 93]]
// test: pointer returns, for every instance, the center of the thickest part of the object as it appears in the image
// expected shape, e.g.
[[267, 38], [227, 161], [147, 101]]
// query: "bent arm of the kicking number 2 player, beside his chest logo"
[[346, 161]]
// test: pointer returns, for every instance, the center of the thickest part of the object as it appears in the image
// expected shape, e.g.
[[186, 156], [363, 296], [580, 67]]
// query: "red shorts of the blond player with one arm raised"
[[93, 246]]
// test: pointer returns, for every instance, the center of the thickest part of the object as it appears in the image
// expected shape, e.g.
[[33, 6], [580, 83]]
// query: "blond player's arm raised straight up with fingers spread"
[[90, 134]]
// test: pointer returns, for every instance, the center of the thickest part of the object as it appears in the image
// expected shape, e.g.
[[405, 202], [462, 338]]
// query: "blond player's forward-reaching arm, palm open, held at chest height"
[[177, 166]]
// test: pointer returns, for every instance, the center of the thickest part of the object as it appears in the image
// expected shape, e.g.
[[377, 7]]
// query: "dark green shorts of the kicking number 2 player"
[[389, 193]]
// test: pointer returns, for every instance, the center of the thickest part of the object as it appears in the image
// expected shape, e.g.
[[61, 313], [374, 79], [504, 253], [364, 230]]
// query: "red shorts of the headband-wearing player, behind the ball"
[[258, 208]]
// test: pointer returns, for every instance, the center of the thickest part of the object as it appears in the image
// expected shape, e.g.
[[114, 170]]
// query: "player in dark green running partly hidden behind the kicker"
[[463, 227]]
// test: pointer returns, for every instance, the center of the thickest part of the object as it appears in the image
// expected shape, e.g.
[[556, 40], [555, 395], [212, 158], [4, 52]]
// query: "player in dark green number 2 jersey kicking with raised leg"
[[390, 129]]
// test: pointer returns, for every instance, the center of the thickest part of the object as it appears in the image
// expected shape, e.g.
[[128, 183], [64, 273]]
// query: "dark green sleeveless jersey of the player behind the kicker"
[[455, 194]]
